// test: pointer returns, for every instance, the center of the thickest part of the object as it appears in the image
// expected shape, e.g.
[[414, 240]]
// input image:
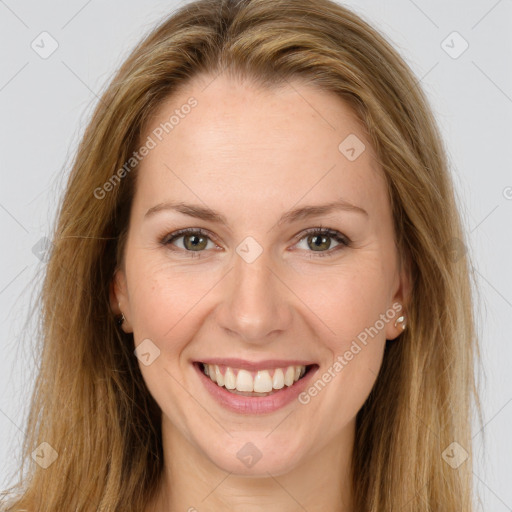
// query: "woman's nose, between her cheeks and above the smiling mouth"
[[256, 306]]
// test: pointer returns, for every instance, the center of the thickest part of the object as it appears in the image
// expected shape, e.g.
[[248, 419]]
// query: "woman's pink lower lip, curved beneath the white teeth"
[[255, 405]]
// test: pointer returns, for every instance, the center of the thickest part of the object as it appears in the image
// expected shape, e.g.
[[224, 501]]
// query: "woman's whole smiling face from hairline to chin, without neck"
[[259, 289]]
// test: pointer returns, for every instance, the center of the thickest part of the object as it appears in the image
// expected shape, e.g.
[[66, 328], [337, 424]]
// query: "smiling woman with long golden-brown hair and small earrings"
[[256, 298]]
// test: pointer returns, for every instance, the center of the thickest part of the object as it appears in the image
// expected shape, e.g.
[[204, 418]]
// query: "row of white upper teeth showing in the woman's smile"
[[261, 382]]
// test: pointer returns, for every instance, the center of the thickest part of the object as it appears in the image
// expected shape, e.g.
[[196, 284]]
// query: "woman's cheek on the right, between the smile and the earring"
[[353, 303]]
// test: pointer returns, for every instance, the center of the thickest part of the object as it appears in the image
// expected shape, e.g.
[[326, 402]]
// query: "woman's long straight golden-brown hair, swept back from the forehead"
[[90, 403]]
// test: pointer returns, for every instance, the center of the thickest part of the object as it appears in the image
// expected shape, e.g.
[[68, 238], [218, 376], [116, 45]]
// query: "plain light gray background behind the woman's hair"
[[45, 104]]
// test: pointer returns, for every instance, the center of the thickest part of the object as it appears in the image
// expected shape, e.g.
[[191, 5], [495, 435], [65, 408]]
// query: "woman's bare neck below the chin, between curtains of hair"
[[193, 483]]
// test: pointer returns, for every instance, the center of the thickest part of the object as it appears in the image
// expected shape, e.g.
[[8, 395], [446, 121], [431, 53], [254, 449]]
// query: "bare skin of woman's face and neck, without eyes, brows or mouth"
[[253, 154]]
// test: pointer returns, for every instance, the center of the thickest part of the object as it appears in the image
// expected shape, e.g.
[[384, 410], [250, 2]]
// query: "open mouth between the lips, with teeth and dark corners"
[[255, 383]]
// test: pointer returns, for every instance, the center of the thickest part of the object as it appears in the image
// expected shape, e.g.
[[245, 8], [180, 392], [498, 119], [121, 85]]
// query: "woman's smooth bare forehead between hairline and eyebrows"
[[273, 146]]
